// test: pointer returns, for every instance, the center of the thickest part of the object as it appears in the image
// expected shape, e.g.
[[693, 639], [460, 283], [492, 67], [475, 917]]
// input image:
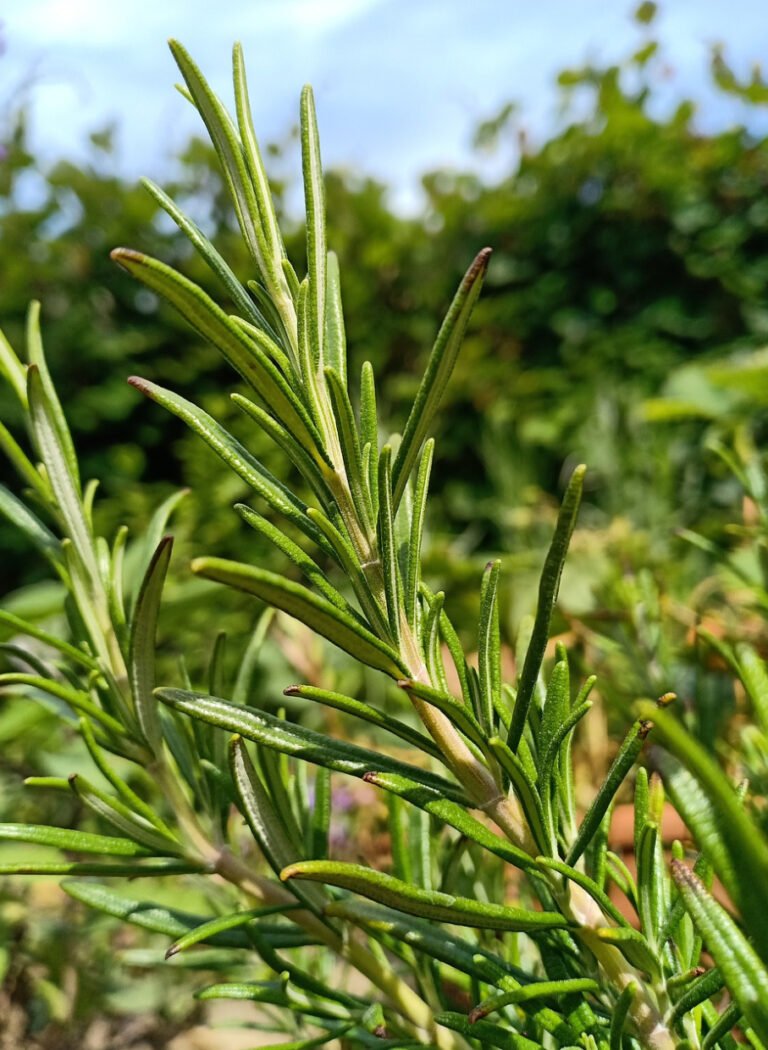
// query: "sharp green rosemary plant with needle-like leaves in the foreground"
[[504, 919]]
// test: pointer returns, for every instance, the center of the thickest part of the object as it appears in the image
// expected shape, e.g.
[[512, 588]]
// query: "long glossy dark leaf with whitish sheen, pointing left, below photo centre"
[[304, 744]]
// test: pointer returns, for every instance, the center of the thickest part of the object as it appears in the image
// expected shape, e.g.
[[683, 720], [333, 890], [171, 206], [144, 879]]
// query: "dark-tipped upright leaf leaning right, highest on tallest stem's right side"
[[438, 374]]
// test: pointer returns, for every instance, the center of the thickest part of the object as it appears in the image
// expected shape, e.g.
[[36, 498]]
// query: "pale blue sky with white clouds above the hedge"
[[401, 85]]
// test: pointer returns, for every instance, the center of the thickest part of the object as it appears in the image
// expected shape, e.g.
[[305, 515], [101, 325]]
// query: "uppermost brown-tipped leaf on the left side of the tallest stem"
[[248, 356]]
